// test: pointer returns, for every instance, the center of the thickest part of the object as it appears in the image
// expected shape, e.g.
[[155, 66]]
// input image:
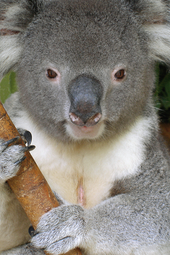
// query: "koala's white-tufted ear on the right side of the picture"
[[155, 19]]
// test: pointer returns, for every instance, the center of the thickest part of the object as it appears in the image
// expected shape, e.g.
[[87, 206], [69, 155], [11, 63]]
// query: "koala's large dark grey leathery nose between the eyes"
[[85, 93]]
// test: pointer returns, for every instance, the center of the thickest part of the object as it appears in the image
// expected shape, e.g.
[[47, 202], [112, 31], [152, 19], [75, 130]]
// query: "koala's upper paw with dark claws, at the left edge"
[[11, 155]]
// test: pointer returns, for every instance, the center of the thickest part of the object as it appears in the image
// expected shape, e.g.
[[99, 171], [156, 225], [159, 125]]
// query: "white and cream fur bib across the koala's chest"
[[84, 173]]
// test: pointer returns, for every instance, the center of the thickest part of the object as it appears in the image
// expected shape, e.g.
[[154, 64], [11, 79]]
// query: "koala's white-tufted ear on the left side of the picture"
[[15, 15]]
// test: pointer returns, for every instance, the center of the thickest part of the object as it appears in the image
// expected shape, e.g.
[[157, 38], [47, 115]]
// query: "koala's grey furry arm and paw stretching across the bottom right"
[[133, 222]]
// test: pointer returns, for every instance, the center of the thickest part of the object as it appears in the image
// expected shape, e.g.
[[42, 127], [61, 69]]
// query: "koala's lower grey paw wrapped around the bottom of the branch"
[[60, 230]]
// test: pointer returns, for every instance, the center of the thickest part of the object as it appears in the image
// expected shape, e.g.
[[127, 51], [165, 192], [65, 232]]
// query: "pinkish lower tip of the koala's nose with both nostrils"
[[90, 122]]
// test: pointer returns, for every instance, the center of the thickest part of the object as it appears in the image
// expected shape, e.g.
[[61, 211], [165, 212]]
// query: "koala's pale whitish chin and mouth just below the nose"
[[83, 132]]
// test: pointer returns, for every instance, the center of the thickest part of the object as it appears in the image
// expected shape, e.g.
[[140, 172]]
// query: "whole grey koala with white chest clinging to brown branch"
[[86, 73]]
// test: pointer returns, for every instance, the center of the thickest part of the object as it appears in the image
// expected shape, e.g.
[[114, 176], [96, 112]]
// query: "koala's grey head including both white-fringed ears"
[[85, 69]]
